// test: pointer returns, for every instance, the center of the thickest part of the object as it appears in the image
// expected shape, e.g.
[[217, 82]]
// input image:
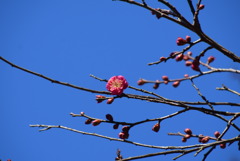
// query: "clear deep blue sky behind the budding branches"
[[68, 40]]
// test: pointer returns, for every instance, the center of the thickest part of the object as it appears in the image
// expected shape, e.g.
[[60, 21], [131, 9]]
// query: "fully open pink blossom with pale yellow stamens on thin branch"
[[116, 85]]
